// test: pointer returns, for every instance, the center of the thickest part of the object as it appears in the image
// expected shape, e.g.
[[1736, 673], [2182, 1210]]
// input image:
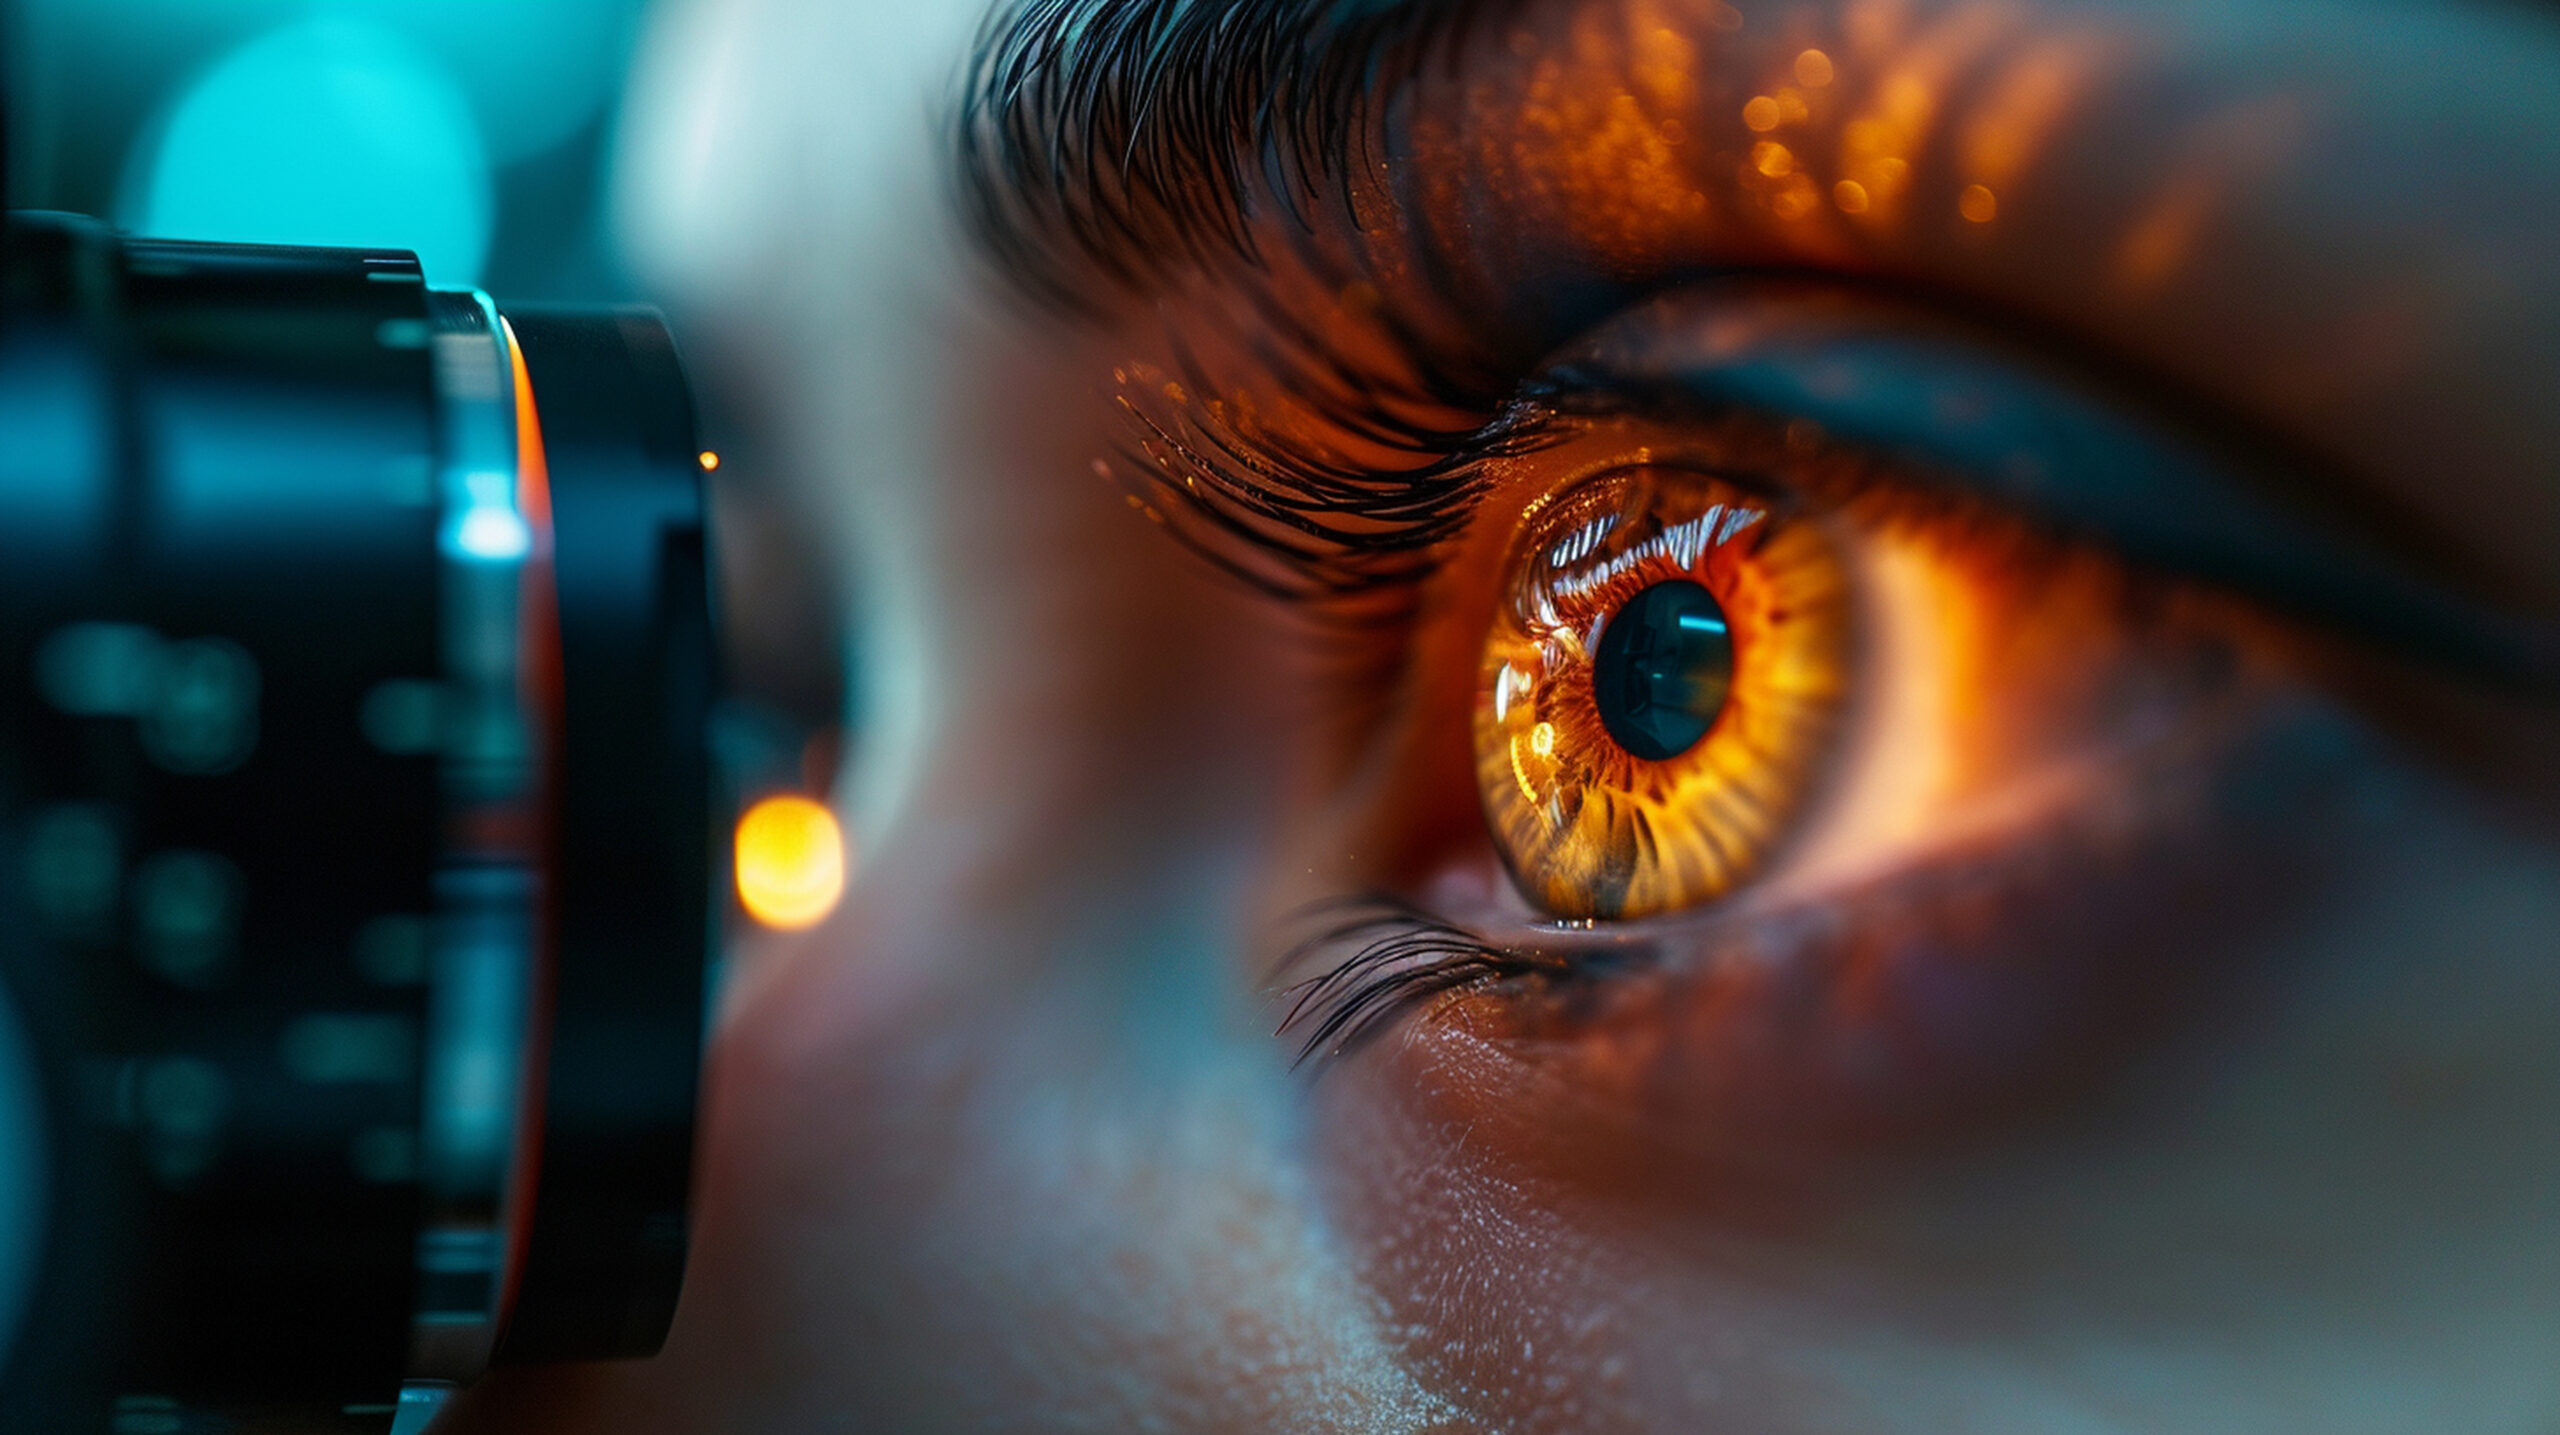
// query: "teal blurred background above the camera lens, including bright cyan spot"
[[475, 132]]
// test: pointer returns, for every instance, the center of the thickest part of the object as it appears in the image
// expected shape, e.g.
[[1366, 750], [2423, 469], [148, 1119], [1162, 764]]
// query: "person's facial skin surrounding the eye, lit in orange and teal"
[[1007, 1145]]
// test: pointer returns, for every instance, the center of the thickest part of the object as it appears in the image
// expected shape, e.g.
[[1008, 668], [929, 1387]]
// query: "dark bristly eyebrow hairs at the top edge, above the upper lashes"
[[1125, 139]]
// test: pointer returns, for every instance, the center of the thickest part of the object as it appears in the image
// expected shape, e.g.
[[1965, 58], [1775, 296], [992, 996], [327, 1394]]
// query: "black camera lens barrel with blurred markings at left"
[[357, 833]]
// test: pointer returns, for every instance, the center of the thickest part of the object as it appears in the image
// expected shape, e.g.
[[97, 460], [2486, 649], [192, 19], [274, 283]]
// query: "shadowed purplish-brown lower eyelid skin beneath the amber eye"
[[1980, 986]]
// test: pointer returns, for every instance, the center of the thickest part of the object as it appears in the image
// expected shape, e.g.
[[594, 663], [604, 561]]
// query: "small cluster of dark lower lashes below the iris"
[[1404, 958]]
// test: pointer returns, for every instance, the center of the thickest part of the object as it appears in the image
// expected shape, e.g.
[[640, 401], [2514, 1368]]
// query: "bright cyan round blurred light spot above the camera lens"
[[321, 132]]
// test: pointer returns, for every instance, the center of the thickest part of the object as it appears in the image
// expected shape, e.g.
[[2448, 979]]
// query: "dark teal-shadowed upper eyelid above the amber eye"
[[2060, 449]]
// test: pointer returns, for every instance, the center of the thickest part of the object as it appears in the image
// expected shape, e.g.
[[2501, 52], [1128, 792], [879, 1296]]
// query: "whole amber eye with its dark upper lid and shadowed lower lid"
[[1878, 728]]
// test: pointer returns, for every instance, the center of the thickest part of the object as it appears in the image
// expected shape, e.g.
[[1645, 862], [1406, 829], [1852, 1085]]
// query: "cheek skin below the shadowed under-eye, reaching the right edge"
[[2333, 1188]]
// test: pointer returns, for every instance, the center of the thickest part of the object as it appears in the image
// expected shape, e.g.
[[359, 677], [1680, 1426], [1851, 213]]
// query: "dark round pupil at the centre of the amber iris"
[[1665, 669]]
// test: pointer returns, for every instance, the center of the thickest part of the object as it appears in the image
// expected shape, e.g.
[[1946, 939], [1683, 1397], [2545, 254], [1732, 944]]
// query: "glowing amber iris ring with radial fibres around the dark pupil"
[[1588, 827]]
